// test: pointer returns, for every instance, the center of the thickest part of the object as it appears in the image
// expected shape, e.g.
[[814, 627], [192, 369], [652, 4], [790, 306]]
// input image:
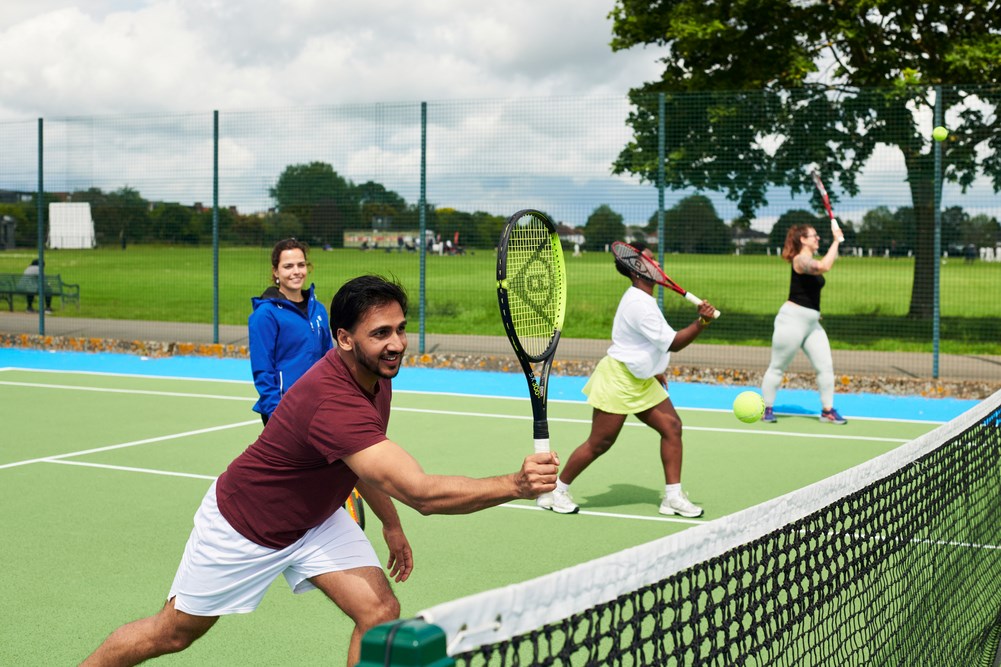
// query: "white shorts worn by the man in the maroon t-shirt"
[[222, 572]]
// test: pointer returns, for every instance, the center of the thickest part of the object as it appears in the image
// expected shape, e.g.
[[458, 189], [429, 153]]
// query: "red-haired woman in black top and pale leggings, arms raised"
[[797, 326]]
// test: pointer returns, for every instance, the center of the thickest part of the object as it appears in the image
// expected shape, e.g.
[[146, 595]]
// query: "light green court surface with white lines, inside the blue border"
[[101, 477]]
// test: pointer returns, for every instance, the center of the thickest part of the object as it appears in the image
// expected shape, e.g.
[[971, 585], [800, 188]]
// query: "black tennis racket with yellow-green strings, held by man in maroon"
[[532, 292]]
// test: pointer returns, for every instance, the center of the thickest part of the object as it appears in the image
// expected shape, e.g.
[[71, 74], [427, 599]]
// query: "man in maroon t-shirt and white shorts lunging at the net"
[[277, 510]]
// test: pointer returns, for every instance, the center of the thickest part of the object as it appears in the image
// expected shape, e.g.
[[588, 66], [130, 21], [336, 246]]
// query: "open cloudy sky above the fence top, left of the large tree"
[[65, 58]]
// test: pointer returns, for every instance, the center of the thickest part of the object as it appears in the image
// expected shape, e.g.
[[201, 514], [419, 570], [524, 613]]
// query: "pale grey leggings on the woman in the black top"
[[795, 328]]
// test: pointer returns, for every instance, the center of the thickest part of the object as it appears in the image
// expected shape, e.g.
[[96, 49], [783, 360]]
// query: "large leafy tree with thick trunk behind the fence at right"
[[757, 92]]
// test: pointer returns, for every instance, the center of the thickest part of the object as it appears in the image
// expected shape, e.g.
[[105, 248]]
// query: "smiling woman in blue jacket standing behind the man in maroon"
[[290, 329]]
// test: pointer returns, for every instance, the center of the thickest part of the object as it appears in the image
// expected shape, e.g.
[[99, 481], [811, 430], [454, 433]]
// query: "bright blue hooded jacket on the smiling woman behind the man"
[[285, 344]]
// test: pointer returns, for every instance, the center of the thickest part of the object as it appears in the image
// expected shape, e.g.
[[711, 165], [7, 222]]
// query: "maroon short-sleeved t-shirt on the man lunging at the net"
[[294, 477]]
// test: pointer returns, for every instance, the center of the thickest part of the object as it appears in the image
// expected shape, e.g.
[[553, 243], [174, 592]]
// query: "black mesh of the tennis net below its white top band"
[[905, 571]]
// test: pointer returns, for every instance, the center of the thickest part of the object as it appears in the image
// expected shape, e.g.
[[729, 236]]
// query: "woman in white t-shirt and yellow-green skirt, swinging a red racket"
[[630, 381]]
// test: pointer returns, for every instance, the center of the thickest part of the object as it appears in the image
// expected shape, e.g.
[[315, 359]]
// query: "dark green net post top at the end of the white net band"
[[410, 643]]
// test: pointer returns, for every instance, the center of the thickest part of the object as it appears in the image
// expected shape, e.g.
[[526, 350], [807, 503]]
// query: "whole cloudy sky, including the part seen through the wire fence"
[[114, 59]]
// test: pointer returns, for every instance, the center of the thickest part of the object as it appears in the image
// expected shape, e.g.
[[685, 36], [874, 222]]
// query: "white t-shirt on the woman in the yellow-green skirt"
[[641, 337]]
